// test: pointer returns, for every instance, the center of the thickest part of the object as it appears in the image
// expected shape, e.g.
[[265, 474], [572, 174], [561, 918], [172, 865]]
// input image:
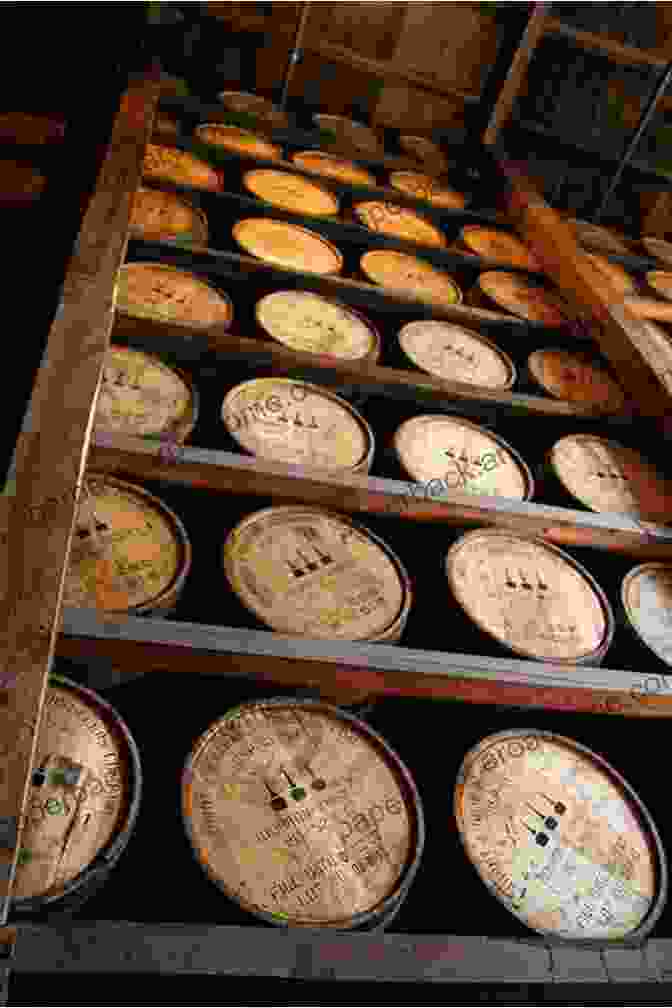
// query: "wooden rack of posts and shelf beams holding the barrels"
[[38, 523]]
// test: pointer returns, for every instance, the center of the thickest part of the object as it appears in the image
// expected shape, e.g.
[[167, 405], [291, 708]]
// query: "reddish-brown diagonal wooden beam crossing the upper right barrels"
[[617, 329]]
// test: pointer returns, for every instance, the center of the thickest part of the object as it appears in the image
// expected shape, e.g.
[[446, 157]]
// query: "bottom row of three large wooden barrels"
[[305, 816]]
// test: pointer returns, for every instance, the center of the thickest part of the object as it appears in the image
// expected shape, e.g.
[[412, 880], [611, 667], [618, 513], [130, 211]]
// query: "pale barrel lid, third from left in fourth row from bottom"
[[457, 354]]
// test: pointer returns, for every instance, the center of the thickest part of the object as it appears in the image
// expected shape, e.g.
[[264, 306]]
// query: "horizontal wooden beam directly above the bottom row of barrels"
[[377, 670]]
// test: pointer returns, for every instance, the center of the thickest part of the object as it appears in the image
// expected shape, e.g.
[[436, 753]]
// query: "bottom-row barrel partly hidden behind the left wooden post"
[[83, 803]]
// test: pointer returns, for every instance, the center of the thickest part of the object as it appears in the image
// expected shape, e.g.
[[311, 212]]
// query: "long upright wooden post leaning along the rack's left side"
[[39, 512]]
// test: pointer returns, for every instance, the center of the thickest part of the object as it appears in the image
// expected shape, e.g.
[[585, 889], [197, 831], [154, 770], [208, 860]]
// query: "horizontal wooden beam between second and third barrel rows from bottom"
[[227, 472]]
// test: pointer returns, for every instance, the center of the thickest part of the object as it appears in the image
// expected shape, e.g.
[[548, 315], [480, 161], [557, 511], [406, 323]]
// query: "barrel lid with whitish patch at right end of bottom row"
[[558, 836]]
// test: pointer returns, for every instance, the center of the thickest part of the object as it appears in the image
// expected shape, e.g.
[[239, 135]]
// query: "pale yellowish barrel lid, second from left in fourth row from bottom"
[[308, 322]]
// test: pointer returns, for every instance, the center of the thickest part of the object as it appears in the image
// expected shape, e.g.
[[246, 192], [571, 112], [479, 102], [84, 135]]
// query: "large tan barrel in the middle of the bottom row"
[[304, 816]]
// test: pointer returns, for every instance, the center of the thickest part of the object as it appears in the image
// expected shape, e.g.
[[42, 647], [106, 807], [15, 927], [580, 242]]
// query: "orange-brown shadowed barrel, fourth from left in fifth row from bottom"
[[509, 293]]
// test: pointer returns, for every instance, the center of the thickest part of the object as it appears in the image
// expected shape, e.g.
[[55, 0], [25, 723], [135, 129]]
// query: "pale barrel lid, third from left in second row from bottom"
[[530, 597]]
